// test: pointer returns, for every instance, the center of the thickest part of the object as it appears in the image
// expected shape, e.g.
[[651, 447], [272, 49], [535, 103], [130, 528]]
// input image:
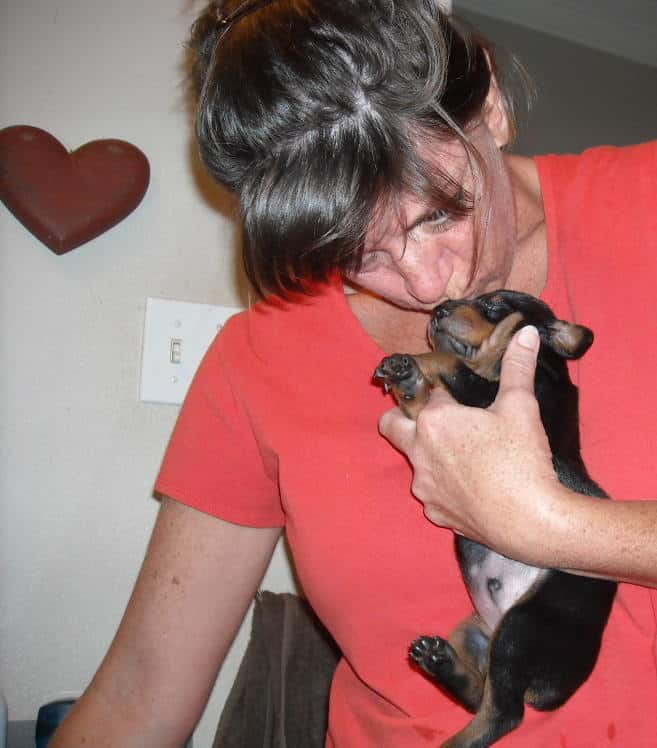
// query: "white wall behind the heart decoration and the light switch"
[[78, 451]]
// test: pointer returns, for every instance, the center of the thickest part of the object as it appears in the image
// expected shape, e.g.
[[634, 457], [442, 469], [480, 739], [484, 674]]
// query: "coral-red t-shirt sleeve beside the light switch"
[[213, 461]]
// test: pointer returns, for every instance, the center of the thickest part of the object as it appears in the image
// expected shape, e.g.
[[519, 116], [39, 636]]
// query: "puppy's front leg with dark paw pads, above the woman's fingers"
[[411, 377]]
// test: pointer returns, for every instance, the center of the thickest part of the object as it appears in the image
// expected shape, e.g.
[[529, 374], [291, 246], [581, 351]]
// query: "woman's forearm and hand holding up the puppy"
[[488, 475]]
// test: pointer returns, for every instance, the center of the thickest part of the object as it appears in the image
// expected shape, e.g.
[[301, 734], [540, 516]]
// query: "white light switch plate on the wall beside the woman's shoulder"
[[176, 336]]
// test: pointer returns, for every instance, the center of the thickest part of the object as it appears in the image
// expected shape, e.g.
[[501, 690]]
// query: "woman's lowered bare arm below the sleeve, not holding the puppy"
[[197, 580]]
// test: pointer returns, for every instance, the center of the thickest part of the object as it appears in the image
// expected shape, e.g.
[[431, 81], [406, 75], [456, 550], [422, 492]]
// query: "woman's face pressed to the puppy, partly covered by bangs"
[[426, 257]]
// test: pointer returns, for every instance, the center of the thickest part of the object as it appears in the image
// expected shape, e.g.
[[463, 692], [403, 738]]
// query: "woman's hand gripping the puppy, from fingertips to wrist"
[[486, 473]]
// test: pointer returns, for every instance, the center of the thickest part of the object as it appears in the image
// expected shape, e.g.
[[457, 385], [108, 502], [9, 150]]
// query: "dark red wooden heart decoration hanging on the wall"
[[66, 199]]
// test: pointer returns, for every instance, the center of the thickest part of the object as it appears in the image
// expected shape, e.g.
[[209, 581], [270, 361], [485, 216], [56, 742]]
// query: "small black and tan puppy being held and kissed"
[[536, 633]]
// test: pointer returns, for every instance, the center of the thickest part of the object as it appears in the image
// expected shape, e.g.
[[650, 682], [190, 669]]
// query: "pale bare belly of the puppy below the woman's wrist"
[[496, 583]]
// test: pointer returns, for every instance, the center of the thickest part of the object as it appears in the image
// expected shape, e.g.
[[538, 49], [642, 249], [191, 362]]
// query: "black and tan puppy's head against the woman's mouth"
[[479, 330]]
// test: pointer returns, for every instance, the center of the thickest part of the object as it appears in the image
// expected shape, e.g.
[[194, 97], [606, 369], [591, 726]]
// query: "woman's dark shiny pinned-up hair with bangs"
[[311, 111]]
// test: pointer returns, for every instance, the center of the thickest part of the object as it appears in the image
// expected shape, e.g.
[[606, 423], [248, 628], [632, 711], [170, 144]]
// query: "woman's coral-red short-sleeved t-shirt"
[[280, 428]]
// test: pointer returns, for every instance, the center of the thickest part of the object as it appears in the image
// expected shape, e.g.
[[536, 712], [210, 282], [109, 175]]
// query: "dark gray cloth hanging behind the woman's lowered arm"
[[280, 696]]
